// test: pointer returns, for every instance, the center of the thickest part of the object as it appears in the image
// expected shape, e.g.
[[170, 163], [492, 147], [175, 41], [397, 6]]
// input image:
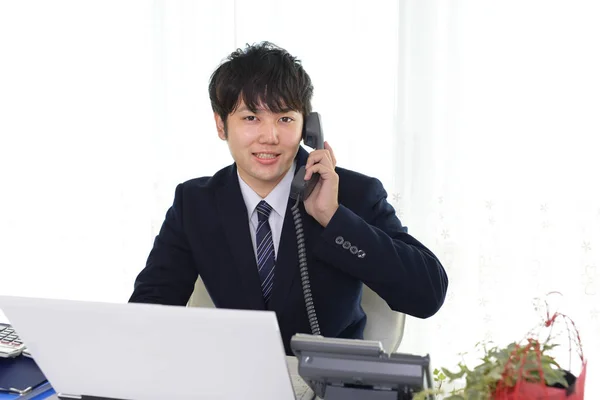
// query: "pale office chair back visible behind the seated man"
[[383, 324]]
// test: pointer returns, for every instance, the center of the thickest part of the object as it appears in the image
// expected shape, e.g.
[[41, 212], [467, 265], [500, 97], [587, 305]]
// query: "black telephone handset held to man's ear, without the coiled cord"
[[312, 135]]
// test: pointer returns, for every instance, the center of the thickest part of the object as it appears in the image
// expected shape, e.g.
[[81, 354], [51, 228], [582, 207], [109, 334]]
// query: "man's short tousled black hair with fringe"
[[262, 74]]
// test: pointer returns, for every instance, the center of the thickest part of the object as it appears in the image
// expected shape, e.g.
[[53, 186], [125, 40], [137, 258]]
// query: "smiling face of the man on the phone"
[[263, 144]]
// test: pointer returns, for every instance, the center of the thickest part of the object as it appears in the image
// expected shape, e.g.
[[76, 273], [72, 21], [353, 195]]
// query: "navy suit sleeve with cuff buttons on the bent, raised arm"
[[376, 249]]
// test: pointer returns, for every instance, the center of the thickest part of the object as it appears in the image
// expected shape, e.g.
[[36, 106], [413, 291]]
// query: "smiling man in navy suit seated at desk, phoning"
[[235, 229]]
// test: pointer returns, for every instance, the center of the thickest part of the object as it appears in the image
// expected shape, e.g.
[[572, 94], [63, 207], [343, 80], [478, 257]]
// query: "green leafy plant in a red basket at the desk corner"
[[519, 371]]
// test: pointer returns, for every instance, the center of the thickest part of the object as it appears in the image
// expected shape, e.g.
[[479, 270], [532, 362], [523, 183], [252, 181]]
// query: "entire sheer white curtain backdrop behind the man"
[[479, 117]]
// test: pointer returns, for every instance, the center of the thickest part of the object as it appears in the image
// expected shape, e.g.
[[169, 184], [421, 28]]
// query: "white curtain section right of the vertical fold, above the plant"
[[497, 167]]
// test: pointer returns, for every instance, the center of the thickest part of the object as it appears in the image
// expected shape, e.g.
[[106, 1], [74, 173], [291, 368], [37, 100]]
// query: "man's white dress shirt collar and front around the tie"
[[277, 199]]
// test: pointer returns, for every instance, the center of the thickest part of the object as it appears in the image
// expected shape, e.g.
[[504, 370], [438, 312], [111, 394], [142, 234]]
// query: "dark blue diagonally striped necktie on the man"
[[265, 250]]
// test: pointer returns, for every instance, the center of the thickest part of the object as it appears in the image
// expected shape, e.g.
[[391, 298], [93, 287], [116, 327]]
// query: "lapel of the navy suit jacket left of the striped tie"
[[232, 212]]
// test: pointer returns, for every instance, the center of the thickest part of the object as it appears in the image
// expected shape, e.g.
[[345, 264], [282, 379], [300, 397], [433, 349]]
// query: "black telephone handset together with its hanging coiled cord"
[[312, 135]]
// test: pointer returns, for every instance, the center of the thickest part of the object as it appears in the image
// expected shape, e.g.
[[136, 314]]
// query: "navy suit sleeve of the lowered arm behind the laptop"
[[169, 275]]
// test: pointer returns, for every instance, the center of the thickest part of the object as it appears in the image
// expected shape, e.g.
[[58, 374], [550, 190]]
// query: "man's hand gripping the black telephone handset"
[[323, 201]]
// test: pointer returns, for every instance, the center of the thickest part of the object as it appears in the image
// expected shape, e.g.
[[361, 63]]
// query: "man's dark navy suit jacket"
[[206, 232]]
